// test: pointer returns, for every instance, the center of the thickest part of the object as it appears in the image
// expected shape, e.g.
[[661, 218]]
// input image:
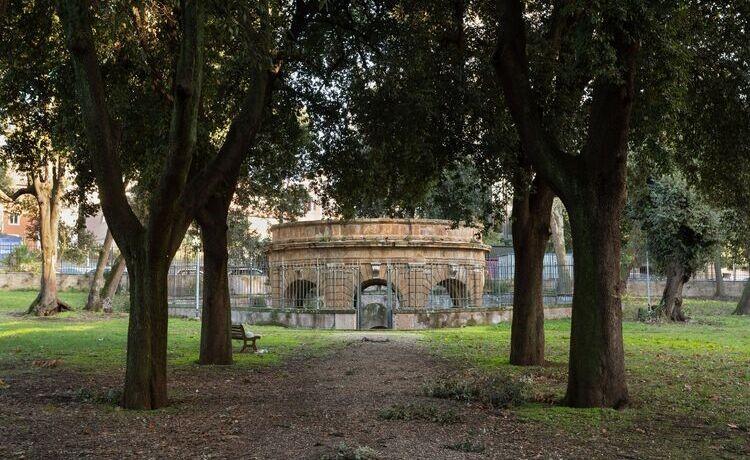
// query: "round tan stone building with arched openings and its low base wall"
[[376, 273]]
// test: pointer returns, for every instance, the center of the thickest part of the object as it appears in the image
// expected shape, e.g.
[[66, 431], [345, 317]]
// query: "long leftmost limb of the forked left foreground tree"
[[100, 131]]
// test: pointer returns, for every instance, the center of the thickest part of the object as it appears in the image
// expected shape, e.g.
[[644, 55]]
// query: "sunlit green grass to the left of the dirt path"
[[94, 341]]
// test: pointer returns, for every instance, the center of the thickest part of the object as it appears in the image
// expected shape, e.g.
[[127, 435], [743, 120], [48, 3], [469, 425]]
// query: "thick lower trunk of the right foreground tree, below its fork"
[[597, 365]]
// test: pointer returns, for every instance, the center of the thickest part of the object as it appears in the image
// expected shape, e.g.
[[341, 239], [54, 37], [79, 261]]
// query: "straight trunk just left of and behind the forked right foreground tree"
[[530, 224]]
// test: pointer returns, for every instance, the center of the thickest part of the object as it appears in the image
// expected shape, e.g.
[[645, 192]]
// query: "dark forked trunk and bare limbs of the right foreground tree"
[[591, 184]]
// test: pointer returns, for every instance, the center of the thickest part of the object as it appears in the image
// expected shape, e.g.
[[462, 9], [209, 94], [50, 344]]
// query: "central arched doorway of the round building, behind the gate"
[[374, 303]]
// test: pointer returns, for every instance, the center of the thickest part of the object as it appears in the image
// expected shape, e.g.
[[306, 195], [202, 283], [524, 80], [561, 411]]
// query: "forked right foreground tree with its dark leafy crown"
[[570, 73]]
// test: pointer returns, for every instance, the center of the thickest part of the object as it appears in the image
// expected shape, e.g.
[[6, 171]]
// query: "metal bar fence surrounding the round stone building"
[[429, 285]]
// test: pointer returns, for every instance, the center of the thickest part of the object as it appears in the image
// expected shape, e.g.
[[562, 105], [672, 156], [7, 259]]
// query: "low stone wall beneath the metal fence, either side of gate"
[[347, 319]]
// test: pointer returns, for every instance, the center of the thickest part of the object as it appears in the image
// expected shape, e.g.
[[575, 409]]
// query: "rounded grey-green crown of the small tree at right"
[[678, 226]]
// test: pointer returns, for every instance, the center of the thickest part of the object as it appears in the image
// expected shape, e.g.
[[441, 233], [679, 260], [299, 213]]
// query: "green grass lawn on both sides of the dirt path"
[[689, 383]]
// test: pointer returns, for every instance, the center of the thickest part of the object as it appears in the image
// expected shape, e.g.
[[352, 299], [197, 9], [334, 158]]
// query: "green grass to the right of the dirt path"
[[689, 383]]
